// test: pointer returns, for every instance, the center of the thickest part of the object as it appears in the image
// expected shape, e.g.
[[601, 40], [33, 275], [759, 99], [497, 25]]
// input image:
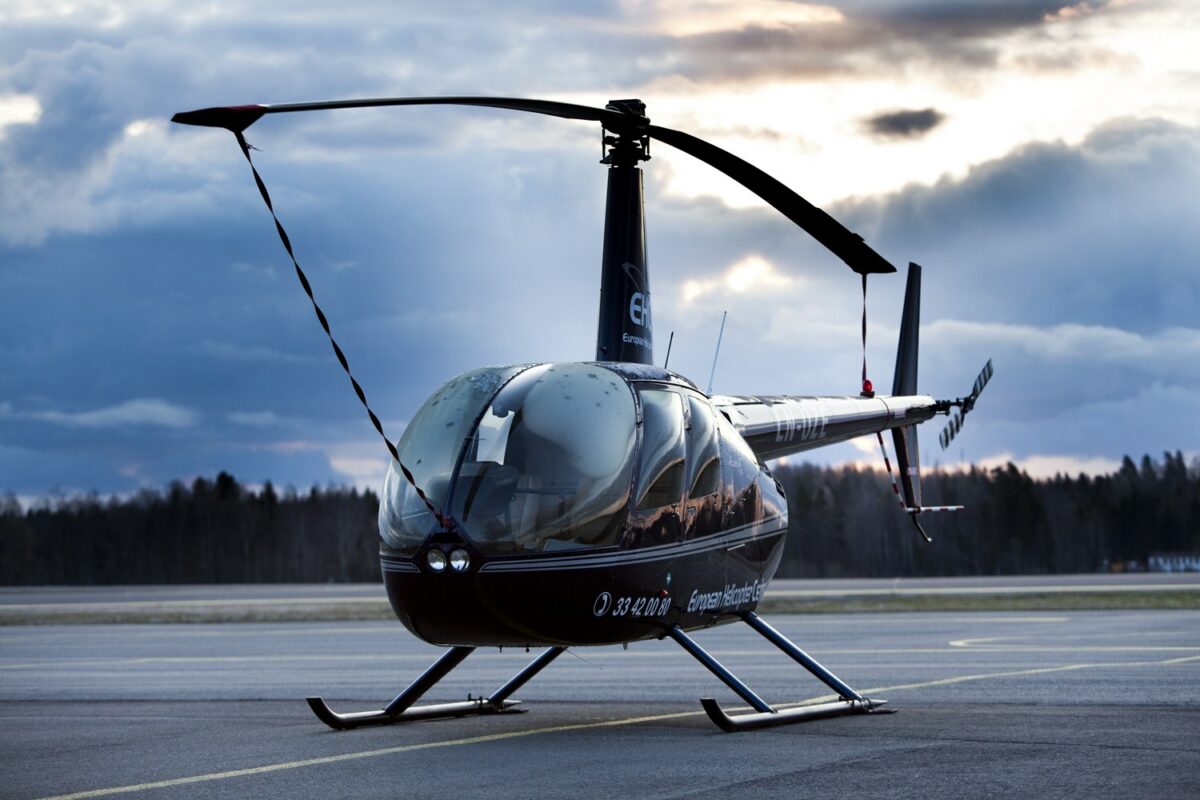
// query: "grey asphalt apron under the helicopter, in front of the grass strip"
[[1096, 705]]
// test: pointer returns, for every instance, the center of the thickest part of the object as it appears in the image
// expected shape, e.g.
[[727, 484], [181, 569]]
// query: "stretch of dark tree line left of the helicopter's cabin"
[[211, 532]]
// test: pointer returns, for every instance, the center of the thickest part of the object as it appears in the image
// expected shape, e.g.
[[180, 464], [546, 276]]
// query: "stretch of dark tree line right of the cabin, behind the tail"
[[844, 524]]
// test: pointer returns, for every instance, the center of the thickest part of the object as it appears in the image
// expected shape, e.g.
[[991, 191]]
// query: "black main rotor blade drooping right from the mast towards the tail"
[[841, 242]]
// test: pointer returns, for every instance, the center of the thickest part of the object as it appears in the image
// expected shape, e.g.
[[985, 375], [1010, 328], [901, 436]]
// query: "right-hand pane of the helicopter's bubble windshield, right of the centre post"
[[549, 466]]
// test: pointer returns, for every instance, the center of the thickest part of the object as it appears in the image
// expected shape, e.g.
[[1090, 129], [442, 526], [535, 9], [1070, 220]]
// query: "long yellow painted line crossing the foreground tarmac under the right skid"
[[581, 726]]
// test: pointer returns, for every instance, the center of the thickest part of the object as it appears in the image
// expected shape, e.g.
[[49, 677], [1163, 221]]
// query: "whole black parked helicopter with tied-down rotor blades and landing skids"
[[608, 502]]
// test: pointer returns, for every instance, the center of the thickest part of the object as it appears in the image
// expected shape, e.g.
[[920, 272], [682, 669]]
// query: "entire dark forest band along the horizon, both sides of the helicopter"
[[844, 522]]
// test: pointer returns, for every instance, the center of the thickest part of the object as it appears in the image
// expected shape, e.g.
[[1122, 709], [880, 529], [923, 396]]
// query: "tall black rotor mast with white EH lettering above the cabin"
[[625, 332]]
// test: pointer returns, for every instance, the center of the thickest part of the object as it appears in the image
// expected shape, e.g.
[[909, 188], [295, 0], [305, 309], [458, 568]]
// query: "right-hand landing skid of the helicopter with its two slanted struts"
[[765, 717]]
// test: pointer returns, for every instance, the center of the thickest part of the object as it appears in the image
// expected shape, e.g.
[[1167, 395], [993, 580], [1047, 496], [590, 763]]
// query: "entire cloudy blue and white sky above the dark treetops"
[[1041, 160]]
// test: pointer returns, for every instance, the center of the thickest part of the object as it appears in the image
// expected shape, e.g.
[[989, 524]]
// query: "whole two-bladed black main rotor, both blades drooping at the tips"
[[842, 243]]
